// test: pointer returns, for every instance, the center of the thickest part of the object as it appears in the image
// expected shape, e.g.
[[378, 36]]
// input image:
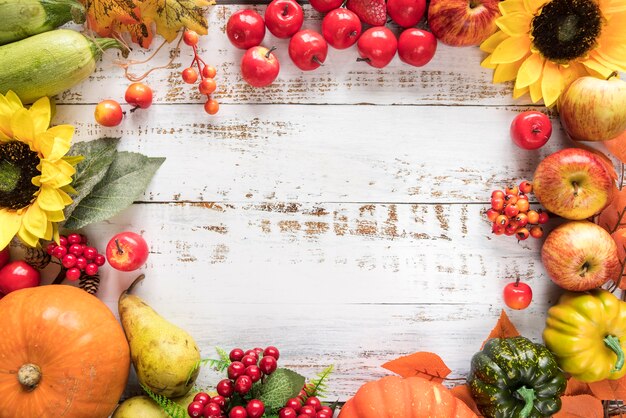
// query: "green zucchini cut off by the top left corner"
[[23, 18]]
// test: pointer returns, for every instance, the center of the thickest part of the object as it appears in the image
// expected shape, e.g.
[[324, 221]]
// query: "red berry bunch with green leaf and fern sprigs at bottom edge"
[[255, 387]]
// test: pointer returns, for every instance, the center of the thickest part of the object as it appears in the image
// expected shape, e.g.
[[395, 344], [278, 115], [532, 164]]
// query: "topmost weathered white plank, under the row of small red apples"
[[453, 77]]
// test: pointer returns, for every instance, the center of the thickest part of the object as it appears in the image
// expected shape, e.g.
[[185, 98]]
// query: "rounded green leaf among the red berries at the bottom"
[[279, 387]]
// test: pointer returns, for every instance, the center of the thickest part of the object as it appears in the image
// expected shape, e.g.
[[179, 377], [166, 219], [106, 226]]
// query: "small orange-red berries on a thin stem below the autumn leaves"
[[206, 73]]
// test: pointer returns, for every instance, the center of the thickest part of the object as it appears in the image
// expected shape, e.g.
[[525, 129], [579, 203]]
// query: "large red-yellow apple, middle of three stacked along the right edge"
[[573, 183]]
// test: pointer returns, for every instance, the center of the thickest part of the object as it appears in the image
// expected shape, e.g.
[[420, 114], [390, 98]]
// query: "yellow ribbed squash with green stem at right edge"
[[587, 334]]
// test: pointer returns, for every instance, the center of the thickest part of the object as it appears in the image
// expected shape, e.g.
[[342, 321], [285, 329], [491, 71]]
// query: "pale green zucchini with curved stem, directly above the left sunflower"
[[49, 63]]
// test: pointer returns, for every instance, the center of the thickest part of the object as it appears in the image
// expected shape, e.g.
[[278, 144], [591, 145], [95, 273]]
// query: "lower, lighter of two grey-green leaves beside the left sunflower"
[[125, 181]]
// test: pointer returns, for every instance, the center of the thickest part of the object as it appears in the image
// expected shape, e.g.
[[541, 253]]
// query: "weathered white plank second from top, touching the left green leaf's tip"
[[323, 153]]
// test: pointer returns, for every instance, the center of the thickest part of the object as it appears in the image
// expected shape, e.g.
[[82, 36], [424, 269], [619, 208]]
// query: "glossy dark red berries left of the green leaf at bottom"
[[247, 368]]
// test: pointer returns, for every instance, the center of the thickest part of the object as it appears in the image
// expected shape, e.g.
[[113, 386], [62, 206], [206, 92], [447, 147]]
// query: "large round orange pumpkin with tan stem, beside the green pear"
[[62, 354]]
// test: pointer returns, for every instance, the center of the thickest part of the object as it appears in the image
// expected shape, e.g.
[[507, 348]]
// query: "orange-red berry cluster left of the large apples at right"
[[510, 213]]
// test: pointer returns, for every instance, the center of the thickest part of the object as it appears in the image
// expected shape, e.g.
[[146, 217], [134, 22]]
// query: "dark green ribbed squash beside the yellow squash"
[[516, 378]]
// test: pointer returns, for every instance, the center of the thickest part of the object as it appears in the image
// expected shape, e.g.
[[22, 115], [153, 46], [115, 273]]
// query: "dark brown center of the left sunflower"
[[18, 166]]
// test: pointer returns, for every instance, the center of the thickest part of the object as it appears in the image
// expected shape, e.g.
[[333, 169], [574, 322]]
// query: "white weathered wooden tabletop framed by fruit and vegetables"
[[335, 214]]
